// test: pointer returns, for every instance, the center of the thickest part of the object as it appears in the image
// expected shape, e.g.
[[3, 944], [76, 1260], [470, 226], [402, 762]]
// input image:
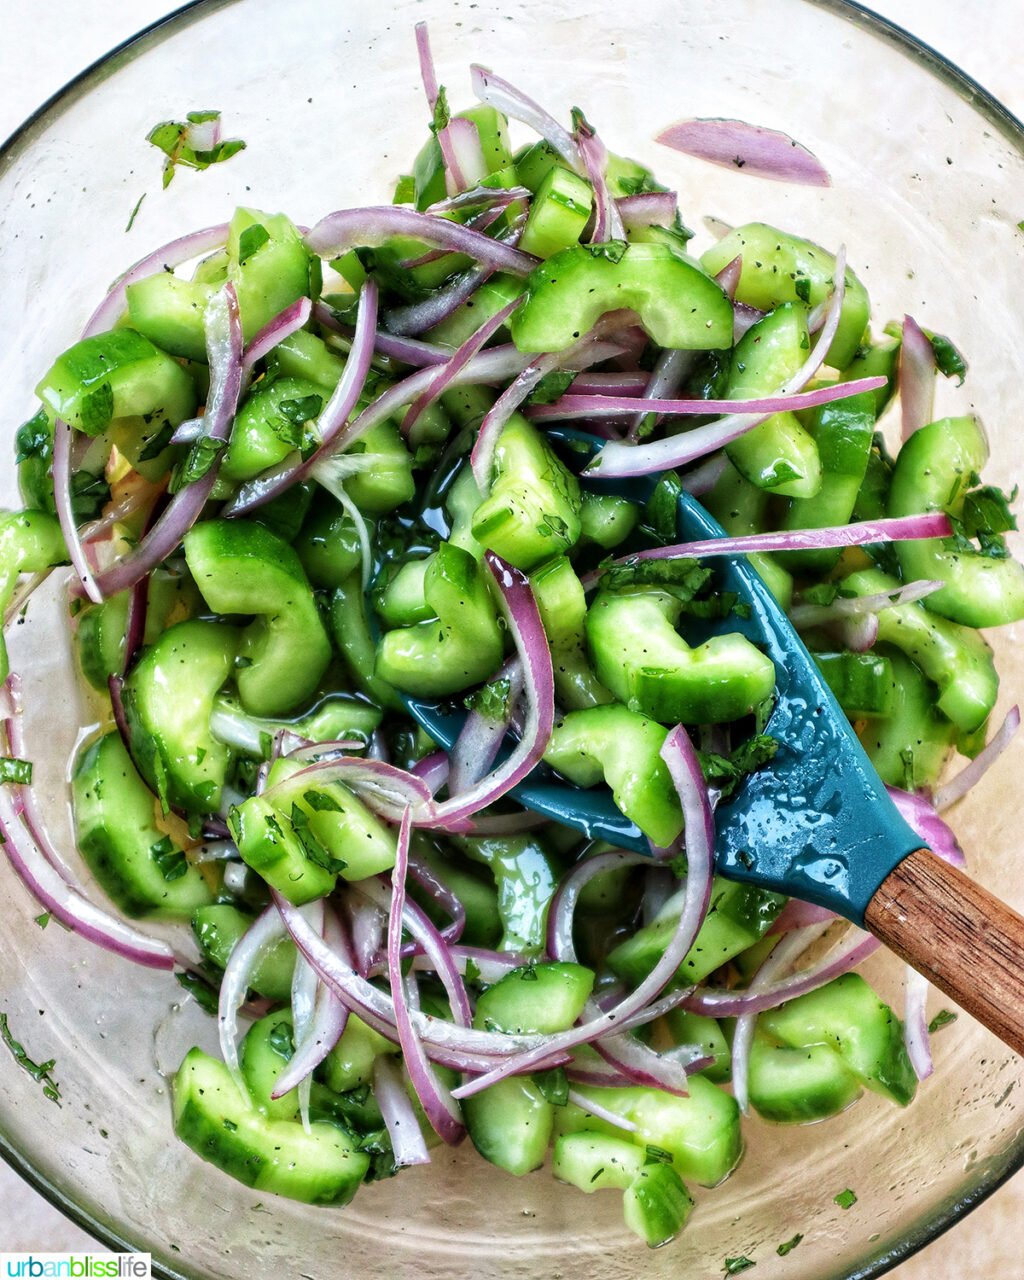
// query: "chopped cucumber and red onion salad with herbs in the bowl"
[[318, 486]]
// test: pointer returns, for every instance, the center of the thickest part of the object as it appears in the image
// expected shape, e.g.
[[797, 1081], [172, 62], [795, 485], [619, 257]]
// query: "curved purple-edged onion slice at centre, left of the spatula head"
[[532, 644]]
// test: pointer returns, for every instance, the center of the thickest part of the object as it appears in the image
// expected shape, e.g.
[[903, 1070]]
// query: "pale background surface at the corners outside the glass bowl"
[[44, 45]]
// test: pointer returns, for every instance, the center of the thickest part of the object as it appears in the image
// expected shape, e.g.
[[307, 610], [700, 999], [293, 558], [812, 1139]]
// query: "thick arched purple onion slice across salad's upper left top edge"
[[346, 228]]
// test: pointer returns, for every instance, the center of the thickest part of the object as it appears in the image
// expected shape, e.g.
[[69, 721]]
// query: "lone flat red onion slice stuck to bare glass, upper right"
[[751, 148]]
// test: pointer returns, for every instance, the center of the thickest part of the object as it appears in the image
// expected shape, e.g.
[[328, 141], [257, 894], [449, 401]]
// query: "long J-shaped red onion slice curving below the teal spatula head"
[[684, 767]]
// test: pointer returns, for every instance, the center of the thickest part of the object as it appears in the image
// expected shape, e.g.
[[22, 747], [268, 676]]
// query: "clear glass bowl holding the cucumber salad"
[[927, 193]]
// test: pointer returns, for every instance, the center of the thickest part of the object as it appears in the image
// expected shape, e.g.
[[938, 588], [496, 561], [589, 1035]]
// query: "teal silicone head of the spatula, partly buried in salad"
[[816, 822]]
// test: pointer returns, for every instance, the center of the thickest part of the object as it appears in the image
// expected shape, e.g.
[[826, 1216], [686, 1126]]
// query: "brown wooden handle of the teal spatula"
[[966, 941]]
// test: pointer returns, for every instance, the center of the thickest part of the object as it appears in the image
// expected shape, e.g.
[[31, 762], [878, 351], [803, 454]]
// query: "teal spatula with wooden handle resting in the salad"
[[816, 822]]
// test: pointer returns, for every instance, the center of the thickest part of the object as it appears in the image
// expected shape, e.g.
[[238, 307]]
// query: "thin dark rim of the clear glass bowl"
[[944, 70]]
